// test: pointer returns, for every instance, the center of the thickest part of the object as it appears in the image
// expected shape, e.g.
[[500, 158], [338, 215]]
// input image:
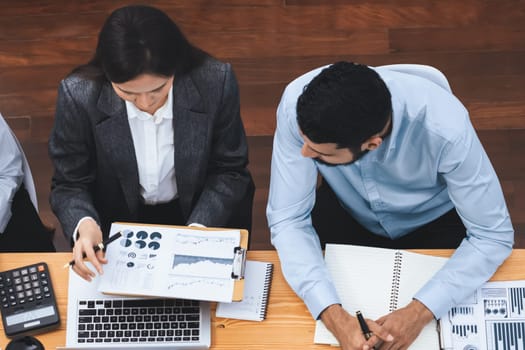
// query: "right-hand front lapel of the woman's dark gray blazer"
[[190, 137]]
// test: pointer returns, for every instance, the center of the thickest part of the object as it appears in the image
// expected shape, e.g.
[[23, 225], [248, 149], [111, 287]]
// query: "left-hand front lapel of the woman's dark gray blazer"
[[114, 135]]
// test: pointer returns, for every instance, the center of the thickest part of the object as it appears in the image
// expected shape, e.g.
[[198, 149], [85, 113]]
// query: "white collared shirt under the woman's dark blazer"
[[154, 148]]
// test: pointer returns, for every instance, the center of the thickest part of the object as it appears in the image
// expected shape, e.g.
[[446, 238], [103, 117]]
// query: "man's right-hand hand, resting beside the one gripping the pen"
[[405, 324]]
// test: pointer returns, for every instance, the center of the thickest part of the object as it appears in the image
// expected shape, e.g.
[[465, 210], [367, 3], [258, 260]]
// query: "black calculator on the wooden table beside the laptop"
[[27, 300]]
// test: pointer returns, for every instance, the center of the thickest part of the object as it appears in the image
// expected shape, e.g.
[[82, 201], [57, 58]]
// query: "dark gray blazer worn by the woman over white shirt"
[[96, 171]]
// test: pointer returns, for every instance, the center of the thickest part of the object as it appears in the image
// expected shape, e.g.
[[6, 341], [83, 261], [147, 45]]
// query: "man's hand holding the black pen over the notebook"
[[346, 329]]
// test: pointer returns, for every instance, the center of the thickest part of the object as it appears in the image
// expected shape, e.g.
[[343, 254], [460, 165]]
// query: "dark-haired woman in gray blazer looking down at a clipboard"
[[148, 131]]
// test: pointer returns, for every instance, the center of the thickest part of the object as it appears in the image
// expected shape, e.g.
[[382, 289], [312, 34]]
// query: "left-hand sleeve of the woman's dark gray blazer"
[[71, 151]]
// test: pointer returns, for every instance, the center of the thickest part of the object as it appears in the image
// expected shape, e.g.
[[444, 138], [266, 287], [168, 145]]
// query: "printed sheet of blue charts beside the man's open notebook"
[[492, 318]]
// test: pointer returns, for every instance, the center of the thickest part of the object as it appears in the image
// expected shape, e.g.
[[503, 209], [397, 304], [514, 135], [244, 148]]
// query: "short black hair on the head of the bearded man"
[[345, 104]]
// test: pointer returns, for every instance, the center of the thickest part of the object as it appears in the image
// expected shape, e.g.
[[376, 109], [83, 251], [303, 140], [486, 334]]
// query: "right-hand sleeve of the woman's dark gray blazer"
[[227, 197]]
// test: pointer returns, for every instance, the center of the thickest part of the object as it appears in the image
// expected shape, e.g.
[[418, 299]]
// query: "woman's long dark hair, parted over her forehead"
[[138, 40]]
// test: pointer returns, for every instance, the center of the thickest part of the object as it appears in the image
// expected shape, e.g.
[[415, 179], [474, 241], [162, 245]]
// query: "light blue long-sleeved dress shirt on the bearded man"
[[432, 161]]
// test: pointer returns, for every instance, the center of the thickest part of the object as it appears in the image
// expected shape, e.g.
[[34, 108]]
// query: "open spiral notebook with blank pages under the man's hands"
[[377, 281]]
